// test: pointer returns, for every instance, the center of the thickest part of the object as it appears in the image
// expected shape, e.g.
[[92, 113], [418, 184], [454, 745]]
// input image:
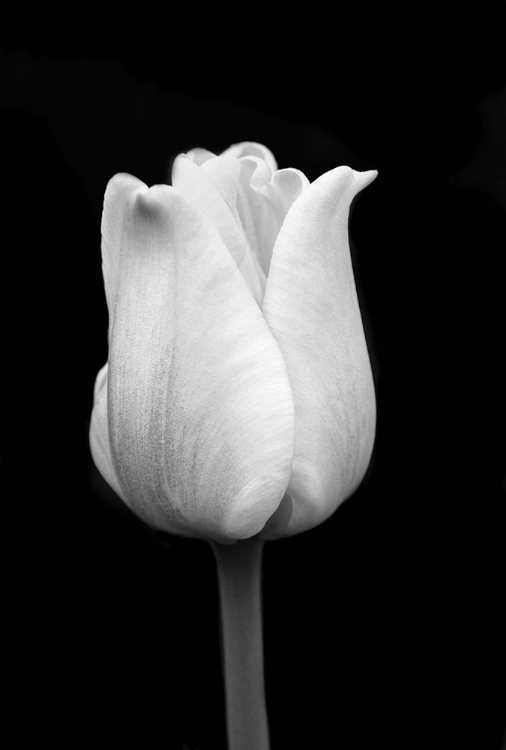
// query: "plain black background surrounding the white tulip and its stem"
[[384, 626]]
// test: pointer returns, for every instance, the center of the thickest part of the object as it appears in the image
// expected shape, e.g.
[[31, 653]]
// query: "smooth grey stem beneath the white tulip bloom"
[[239, 576]]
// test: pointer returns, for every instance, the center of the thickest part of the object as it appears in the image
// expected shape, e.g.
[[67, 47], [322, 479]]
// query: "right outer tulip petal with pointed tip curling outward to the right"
[[311, 307]]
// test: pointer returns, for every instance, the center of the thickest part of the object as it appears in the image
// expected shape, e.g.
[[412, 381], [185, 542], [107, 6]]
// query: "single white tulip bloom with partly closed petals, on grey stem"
[[238, 403]]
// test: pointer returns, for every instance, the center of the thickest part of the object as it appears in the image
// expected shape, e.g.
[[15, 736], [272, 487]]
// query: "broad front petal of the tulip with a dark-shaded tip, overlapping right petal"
[[201, 417]]
